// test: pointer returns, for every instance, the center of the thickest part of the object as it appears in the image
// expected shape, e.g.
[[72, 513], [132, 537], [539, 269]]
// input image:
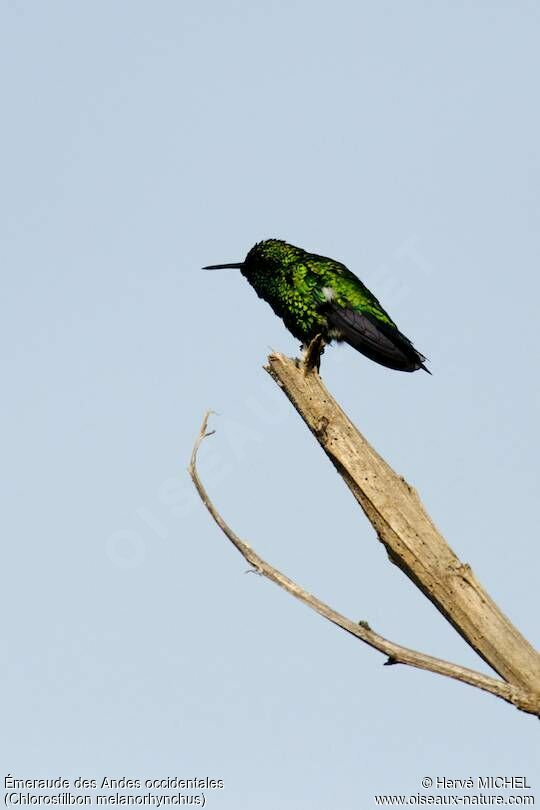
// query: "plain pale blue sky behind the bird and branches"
[[141, 141]]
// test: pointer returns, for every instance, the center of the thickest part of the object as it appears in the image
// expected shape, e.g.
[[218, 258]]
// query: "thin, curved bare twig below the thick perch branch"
[[516, 695]]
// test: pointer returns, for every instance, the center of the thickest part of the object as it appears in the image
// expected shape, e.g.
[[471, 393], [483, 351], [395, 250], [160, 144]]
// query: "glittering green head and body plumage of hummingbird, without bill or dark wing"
[[298, 284]]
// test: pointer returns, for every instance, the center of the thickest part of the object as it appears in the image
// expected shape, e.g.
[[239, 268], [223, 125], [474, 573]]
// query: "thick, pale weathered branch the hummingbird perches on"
[[406, 530]]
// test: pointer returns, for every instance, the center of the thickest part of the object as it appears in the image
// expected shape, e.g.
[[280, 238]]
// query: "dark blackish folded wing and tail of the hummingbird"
[[377, 340]]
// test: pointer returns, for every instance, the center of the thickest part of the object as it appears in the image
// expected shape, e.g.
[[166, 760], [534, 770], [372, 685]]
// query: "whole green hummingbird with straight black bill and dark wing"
[[318, 296]]
